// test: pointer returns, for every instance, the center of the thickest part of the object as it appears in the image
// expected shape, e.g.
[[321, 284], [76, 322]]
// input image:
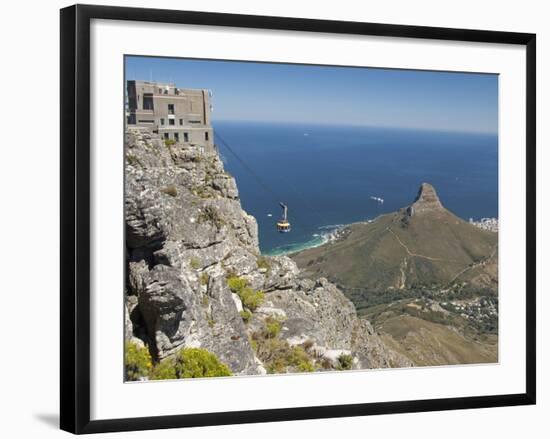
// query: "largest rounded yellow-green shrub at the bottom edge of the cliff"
[[191, 363]]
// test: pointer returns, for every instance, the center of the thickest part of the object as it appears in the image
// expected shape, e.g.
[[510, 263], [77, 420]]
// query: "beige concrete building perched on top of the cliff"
[[178, 114]]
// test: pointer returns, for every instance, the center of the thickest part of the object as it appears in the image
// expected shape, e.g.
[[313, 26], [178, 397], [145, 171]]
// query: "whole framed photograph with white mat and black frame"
[[268, 218]]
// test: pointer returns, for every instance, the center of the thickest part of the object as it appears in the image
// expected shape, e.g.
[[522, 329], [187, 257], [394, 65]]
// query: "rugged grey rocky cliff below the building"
[[186, 236]]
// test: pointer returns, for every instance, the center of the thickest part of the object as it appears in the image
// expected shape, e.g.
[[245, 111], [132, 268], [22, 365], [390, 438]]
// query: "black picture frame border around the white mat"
[[75, 217]]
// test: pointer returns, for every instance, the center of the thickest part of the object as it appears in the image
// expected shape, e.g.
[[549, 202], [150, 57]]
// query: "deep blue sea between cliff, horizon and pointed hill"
[[327, 174]]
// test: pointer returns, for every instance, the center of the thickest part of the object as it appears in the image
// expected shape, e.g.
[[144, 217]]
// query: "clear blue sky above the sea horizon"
[[251, 91]]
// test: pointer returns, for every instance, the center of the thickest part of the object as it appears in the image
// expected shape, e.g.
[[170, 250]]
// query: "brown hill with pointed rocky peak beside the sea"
[[423, 244]]
